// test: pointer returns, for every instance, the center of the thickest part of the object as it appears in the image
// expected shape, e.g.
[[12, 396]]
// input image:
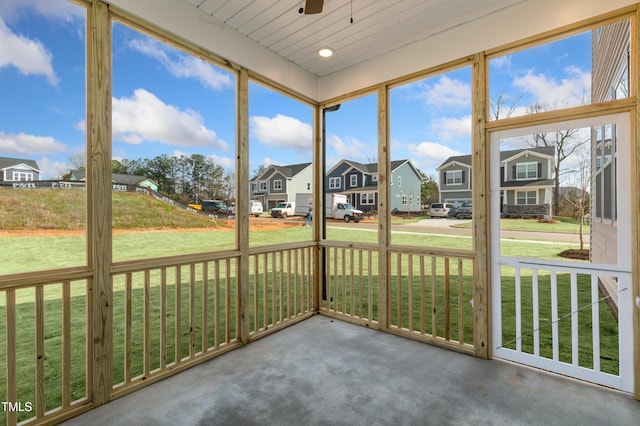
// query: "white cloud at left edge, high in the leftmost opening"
[[29, 56]]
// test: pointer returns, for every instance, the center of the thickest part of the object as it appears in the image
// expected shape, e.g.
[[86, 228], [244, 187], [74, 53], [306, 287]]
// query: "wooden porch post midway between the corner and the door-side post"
[[384, 232]]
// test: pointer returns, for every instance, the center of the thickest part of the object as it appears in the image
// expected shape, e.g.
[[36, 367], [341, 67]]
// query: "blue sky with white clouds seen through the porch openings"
[[169, 102]]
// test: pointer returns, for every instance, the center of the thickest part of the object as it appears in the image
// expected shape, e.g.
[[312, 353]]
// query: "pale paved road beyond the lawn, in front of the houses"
[[445, 226]]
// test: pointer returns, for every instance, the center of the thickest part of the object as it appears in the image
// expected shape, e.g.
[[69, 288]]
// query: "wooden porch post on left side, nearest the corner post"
[[242, 202]]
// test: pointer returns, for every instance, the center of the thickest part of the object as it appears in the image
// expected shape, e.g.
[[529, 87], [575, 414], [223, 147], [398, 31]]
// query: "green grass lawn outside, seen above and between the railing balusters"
[[29, 253]]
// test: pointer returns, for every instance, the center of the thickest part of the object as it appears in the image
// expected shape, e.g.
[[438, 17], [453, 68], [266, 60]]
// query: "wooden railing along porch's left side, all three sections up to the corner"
[[168, 314]]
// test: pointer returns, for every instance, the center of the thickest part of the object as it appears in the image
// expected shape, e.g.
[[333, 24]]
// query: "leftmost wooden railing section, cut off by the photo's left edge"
[[45, 339]]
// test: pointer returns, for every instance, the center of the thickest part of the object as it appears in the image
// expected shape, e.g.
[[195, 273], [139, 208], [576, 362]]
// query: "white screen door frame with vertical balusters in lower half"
[[625, 379]]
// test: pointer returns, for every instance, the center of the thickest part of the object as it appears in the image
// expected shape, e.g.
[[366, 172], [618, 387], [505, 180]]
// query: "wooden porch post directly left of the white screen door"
[[481, 226]]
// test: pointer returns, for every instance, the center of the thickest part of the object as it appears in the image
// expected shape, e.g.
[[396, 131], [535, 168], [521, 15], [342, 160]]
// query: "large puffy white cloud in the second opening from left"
[[144, 117]]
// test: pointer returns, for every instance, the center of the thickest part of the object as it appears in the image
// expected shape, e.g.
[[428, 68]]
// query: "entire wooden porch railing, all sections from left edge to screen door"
[[169, 314]]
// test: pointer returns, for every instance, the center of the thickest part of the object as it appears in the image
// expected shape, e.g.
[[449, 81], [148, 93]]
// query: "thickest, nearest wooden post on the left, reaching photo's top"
[[100, 334]]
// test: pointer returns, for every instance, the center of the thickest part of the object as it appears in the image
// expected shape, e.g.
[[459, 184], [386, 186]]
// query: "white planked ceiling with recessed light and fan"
[[379, 26]]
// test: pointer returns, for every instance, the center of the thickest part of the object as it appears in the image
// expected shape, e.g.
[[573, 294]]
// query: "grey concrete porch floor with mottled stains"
[[328, 372]]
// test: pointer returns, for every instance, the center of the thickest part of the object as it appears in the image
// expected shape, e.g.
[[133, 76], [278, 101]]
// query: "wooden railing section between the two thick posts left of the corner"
[[168, 317]]
